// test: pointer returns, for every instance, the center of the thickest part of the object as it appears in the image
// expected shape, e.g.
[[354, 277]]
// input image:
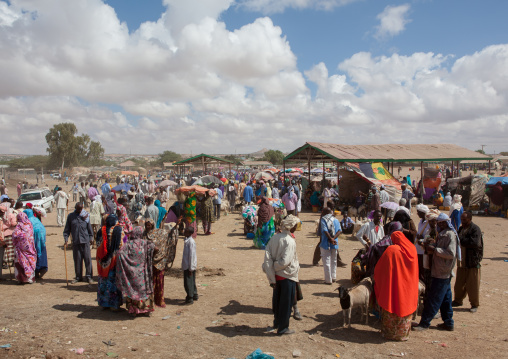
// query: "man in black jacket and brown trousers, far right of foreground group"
[[469, 268]]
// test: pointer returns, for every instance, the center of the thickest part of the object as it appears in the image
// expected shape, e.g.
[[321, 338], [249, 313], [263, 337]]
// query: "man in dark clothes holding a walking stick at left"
[[82, 236]]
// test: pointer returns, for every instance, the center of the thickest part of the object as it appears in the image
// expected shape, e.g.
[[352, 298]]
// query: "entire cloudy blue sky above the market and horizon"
[[225, 76]]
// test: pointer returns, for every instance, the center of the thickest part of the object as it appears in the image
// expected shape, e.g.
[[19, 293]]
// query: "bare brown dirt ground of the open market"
[[49, 319]]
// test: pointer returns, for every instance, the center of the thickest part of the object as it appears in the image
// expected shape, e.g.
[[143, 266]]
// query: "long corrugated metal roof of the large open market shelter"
[[315, 151]]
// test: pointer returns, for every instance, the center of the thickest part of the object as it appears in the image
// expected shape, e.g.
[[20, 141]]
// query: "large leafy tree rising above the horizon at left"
[[65, 147]]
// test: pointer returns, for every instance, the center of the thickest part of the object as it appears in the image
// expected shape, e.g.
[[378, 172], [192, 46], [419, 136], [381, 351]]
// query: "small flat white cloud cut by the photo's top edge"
[[278, 6]]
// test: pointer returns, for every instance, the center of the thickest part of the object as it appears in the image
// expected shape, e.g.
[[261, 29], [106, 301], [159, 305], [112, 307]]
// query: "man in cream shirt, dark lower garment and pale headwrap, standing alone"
[[281, 267]]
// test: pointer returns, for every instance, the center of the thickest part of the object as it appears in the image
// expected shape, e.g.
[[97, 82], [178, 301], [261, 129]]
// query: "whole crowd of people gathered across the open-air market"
[[133, 231]]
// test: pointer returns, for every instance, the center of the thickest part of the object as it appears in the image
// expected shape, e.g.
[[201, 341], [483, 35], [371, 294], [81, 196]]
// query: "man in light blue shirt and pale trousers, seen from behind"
[[330, 231]]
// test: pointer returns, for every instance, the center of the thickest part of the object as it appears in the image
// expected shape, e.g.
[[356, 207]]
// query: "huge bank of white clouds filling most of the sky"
[[195, 86]]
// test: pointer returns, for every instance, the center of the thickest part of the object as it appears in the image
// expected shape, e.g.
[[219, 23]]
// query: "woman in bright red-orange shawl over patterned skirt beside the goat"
[[396, 287]]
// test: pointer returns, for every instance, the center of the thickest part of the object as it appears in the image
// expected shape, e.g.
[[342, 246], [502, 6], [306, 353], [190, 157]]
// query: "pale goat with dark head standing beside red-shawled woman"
[[357, 296]]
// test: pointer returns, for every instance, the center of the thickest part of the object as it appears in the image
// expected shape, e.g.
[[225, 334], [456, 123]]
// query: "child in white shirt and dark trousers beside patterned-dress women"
[[189, 265]]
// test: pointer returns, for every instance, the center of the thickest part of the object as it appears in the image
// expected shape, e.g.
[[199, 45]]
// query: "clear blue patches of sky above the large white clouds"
[[456, 27]]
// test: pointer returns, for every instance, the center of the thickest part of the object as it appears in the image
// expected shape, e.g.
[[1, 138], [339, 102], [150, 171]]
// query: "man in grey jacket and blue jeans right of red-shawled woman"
[[439, 297]]
